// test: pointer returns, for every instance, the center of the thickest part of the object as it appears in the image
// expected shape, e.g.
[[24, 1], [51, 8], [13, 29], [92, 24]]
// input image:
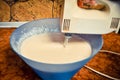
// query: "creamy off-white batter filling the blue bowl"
[[48, 48]]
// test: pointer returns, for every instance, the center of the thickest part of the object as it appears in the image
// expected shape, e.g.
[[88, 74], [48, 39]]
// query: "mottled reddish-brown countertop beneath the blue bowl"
[[13, 68]]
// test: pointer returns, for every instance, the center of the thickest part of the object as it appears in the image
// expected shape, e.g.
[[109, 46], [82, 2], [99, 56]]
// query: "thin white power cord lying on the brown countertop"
[[100, 73]]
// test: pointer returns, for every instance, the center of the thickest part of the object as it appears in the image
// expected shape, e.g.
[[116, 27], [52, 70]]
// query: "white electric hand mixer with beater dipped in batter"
[[90, 21]]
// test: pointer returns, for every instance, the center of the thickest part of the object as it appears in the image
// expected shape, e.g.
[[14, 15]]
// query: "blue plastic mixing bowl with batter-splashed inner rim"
[[45, 70]]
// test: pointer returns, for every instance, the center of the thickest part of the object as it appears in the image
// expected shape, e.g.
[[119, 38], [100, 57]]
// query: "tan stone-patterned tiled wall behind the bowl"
[[26, 10]]
